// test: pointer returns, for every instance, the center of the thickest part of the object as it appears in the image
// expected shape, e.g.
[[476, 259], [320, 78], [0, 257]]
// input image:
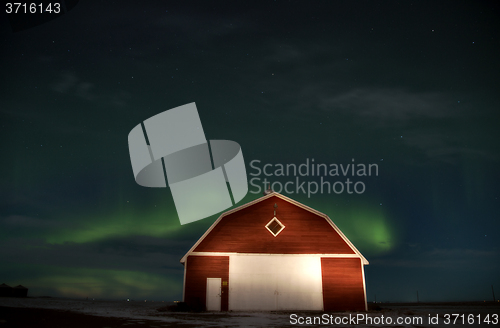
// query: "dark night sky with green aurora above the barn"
[[411, 87]]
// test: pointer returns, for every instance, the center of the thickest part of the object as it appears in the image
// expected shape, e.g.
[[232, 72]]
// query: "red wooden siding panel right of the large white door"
[[342, 284]]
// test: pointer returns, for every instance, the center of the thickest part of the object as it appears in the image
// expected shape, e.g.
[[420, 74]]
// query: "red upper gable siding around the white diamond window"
[[244, 232]]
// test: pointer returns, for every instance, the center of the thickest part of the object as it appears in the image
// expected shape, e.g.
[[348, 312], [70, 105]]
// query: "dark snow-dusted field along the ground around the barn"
[[388, 315]]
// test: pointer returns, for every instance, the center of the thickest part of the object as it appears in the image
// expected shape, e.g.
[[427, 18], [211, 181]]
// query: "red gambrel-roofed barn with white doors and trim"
[[274, 253]]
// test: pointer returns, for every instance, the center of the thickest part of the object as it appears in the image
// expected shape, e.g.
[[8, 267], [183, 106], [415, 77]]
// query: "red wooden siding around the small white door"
[[198, 269]]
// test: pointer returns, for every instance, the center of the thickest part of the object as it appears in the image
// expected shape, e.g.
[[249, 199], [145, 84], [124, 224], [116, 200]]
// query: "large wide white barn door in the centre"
[[275, 282]]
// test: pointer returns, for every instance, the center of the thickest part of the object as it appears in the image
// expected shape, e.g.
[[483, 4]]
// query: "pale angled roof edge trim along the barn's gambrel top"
[[289, 200]]
